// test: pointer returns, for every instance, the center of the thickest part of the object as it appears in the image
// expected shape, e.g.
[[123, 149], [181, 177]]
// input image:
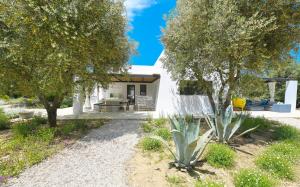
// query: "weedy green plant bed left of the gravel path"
[[30, 142]]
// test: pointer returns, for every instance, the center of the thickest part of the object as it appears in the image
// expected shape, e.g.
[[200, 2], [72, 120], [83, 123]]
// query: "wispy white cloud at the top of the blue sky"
[[134, 7]]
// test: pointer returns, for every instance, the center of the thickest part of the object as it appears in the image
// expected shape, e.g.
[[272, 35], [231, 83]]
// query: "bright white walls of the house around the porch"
[[164, 92]]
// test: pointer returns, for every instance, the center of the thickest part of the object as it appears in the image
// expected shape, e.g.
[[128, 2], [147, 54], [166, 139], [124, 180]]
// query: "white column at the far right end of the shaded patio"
[[291, 94]]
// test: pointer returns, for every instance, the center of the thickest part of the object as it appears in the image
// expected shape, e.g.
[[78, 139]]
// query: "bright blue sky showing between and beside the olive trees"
[[146, 20]]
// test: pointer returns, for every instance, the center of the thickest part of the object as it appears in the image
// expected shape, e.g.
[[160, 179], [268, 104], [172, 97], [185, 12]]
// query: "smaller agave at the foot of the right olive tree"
[[224, 126]]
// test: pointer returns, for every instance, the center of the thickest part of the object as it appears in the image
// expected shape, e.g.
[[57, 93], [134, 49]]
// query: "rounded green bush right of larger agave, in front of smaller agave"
[[220, 155]]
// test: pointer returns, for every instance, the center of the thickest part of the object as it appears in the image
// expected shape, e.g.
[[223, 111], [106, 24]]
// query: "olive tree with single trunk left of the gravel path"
[[45, 44]]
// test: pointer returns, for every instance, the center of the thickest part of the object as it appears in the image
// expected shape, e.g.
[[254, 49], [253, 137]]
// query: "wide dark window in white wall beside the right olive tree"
[[187, 87]]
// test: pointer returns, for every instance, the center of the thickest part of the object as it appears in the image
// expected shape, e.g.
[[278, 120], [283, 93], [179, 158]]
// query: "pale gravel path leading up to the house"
[[96, 160]]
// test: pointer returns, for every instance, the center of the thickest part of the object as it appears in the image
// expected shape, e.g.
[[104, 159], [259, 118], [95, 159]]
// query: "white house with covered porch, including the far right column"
[[151, 88]]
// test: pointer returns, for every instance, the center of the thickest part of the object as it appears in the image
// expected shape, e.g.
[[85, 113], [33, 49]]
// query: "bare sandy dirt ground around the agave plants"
[[152, 169]]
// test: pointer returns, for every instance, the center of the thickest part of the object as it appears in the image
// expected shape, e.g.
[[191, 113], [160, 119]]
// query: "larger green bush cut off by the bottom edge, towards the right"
[[252, 178]]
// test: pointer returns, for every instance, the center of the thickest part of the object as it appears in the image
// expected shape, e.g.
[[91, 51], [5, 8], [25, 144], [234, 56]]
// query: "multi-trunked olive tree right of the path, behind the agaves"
[[215, 41]]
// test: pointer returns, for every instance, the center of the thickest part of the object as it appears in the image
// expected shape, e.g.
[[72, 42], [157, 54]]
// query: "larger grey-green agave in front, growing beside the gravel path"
[[189, 144]]
